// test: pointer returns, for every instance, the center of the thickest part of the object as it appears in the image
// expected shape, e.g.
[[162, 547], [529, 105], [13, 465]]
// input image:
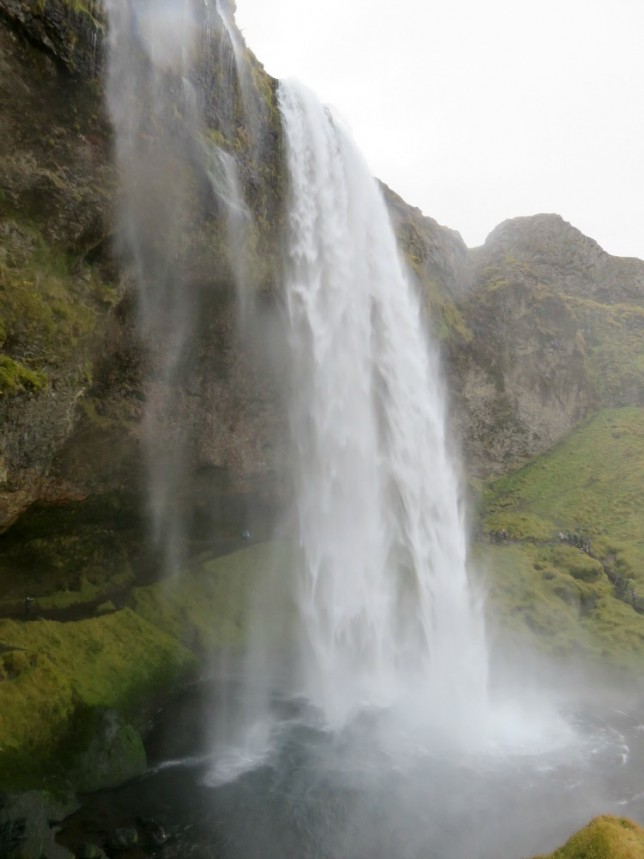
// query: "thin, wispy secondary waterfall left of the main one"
[[174, 179]]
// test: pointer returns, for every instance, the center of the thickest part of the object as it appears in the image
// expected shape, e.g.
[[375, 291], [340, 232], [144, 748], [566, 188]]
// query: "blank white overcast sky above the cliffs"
[[480, 110]]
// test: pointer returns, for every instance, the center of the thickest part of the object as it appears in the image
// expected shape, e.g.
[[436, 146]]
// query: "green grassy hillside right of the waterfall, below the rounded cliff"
[[563, 540]]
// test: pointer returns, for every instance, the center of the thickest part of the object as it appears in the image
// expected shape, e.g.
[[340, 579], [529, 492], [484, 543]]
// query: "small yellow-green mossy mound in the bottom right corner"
[[605, 837]]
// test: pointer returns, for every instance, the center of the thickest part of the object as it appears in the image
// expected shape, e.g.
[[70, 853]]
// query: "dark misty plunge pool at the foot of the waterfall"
[[325, 795]]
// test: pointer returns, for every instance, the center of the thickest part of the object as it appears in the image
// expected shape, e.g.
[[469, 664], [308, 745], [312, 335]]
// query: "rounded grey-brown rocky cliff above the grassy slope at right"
[[556, 330]]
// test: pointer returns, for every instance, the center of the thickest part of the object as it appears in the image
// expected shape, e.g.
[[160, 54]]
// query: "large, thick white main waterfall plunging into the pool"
[[385, 607]]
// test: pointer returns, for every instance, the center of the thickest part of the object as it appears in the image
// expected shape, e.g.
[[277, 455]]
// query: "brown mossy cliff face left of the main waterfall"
[[73, 372]]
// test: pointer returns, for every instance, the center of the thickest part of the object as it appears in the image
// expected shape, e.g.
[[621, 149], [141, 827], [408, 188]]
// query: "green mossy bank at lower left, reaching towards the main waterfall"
[[52, 675]]
